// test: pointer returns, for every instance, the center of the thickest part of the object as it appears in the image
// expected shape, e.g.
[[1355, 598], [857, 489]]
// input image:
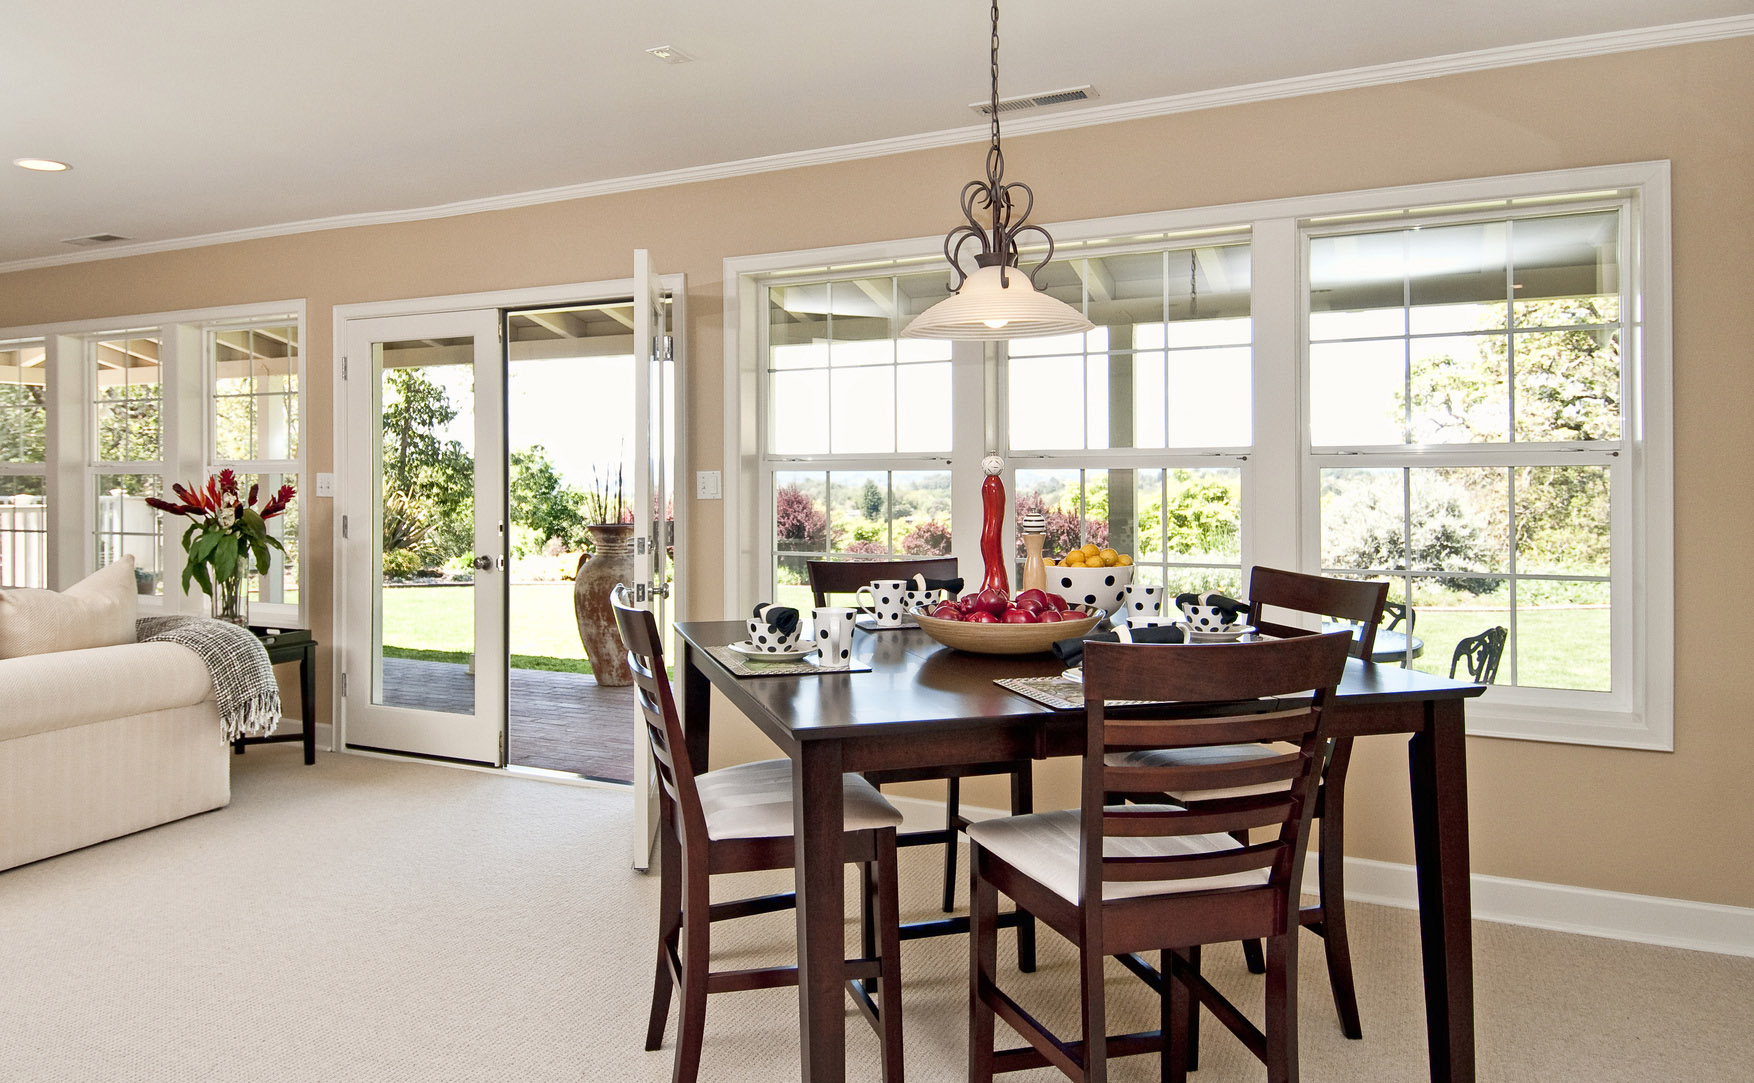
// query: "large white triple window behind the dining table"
[[1460, 389]]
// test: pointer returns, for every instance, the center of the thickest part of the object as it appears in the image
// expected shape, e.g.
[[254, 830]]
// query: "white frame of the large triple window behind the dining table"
[[1281, 468]]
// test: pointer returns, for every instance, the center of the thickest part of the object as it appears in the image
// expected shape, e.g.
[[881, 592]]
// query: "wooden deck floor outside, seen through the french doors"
[[559, 721]]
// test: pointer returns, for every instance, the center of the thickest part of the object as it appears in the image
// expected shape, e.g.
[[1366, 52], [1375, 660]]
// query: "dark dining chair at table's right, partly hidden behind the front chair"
[[1360, 605]]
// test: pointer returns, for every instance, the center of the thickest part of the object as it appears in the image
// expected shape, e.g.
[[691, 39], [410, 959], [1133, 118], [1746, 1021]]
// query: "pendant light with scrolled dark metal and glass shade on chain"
[[999, 301]]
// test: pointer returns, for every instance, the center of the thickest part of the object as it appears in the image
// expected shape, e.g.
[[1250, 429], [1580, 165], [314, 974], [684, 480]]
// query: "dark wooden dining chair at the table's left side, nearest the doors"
[[741, 821]]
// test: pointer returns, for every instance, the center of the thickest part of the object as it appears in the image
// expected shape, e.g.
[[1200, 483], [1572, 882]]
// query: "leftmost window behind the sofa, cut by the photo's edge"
[[24, 457]]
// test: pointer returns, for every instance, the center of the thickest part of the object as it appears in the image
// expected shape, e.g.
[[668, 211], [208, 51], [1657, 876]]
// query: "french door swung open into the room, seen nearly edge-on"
[[655, 501]]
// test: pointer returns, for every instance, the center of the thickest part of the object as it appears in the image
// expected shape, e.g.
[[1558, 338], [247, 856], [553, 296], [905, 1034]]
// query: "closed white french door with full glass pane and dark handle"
[[425, 454]]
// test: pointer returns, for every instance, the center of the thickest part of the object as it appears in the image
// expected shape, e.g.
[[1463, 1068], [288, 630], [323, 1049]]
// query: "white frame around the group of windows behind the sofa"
[[185, 431]]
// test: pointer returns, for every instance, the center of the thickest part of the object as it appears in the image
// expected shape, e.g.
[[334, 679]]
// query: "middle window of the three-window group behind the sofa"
[[127, 461]]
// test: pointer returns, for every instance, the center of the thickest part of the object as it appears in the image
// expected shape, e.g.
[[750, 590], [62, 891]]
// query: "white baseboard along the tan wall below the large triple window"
[[1564, 908]]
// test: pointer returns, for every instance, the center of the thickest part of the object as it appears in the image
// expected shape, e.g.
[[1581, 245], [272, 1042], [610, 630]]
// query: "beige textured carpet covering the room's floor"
[[381, 922]]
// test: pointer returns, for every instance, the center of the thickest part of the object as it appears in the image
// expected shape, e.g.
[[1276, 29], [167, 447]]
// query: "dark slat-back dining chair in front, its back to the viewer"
[[1120, 880]]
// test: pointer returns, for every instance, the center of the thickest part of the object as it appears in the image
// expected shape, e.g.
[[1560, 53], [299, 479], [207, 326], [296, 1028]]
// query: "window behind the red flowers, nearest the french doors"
[[253, 426]]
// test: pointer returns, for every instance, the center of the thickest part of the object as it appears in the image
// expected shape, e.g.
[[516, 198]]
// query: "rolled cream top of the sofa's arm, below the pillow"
[[69, 689]]
